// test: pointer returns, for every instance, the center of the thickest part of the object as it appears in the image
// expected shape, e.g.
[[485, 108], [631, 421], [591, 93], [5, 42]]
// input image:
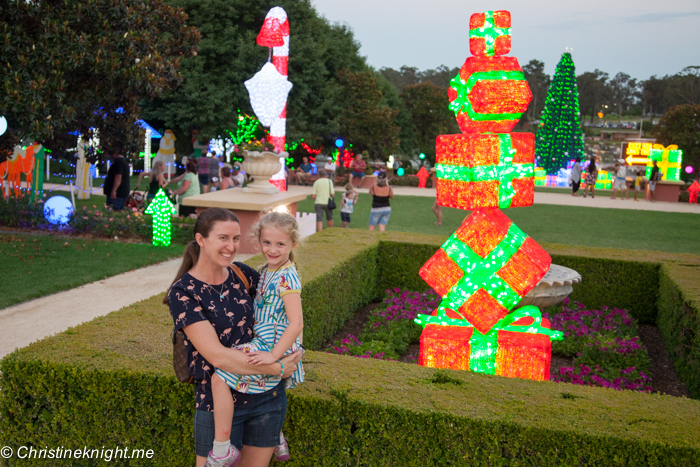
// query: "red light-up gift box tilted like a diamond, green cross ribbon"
[[484, 269]]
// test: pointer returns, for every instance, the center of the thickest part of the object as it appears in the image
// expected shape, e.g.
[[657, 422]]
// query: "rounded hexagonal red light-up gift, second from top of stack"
[[490, 94]]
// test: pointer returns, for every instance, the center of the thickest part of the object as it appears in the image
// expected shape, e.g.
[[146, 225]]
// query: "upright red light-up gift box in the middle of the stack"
[[485, 170]]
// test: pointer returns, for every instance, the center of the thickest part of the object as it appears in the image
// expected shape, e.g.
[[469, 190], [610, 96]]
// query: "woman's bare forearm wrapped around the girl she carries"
[[204, 338]]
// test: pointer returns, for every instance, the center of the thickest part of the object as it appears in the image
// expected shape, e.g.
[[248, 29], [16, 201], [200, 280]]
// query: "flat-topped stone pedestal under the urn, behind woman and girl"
[[248, 207]]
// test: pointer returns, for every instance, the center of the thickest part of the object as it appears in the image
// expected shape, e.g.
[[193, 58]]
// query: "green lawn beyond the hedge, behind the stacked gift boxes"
[[614, 228]]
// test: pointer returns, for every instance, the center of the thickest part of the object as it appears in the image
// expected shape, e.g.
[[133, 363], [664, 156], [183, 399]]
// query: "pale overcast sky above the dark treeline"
[[641, 38]]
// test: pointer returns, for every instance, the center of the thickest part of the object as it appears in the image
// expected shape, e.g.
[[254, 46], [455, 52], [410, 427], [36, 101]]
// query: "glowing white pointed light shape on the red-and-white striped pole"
[[268, 91]]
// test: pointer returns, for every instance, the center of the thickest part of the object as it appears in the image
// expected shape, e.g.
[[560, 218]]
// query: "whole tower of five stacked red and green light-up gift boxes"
[[488, 265]]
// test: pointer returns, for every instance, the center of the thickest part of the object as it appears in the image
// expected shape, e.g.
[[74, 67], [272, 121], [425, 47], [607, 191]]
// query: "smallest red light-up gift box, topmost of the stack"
[[489, 33]]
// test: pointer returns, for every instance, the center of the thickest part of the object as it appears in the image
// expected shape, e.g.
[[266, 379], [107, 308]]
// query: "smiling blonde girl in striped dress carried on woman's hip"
[[278, 326]]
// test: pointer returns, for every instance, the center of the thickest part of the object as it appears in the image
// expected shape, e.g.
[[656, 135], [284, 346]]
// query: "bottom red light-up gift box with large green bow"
[[520, 346]]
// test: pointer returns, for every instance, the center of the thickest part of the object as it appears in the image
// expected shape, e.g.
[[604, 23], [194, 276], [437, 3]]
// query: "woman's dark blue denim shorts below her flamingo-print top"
[[257, 421]]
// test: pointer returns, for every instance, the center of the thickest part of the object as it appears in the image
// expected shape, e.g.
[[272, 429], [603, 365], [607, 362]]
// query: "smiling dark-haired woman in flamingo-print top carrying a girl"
[[210, 304]]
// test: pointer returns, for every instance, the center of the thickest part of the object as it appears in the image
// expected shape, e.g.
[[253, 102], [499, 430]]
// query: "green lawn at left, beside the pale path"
[[38, 265]]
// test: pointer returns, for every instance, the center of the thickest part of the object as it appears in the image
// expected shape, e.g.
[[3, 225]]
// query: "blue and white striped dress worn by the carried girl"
[[270, 323]]
